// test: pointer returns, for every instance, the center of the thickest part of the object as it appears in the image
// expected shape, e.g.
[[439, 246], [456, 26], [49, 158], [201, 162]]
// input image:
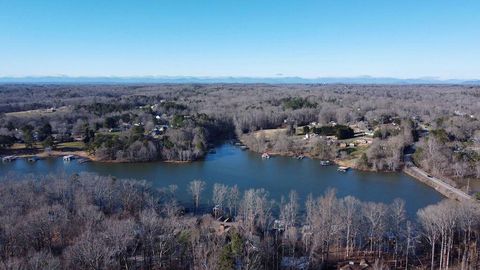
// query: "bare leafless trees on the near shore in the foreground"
[[88, 221]]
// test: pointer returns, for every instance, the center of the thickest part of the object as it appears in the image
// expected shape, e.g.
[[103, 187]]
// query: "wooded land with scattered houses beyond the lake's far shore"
[[369, 127]]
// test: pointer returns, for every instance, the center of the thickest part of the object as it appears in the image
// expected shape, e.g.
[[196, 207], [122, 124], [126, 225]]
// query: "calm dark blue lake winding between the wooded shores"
[[230, 165]]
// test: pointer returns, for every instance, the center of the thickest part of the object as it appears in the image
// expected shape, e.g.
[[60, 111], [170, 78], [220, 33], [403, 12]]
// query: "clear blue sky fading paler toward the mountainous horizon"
[[257, 38]]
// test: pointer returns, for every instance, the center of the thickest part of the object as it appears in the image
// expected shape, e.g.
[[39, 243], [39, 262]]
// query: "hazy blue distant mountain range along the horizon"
[[269, 80]]
